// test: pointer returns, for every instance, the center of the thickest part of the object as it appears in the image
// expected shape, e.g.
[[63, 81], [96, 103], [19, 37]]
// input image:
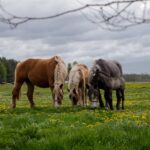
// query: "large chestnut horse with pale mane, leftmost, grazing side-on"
[[43, 73]]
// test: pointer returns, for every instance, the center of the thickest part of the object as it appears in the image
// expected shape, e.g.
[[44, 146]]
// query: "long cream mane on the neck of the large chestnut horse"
[[60, 72]]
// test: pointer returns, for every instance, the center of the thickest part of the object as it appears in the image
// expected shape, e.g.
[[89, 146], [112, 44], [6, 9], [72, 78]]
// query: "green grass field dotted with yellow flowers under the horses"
[[75, 128]]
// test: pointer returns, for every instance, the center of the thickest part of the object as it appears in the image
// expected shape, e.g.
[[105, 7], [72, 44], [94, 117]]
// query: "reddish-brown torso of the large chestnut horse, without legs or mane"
[[39, 72]]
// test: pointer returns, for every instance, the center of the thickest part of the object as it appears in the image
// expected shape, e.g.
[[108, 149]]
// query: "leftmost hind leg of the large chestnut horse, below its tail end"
[[15, 93]]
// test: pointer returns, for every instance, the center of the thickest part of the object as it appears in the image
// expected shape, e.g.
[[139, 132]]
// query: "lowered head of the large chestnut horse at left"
[[58, 95]]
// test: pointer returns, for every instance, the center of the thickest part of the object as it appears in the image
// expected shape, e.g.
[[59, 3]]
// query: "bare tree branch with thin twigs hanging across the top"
[[113, 15]]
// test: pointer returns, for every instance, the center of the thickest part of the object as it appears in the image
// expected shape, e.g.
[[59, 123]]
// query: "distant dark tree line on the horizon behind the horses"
[[7, 69]]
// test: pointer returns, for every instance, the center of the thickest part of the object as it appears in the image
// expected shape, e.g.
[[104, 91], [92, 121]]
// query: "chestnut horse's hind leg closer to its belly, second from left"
[[30, 94]]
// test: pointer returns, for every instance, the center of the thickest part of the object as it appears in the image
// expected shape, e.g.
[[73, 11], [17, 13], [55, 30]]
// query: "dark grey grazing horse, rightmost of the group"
[[106, 75]]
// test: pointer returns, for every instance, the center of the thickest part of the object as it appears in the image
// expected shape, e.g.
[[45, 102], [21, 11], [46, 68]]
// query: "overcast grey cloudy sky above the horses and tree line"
[[72, 37]]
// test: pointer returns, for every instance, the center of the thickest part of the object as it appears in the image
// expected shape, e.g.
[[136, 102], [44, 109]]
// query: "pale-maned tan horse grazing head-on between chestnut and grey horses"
[[78, 79]]
